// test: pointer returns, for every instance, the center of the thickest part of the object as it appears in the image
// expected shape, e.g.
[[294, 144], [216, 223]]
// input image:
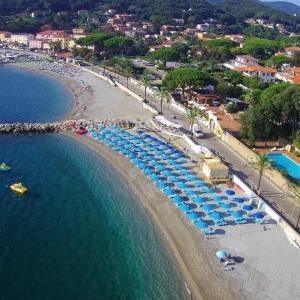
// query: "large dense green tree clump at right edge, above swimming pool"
[[272, 113]]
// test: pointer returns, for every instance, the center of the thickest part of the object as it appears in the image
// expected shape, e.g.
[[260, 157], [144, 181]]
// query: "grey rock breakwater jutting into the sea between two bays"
[[31, 128]]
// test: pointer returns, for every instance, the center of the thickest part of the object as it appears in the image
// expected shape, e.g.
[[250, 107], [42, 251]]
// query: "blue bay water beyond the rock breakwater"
[[31, 97]]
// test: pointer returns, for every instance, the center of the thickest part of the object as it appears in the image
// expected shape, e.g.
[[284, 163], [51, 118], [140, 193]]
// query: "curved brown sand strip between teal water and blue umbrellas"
[[184, 245]]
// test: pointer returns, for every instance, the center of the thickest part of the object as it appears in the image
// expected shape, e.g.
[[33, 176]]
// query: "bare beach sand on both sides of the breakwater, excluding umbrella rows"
[[269, 264]]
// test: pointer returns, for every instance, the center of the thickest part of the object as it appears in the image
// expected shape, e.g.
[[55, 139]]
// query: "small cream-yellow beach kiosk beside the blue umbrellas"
[[215, 170]]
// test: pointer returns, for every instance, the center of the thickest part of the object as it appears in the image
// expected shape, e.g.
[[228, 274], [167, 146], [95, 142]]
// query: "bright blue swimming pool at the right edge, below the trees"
[[283, 162]]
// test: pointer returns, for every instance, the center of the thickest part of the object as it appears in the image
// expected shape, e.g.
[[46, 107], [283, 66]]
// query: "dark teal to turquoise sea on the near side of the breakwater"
[[79, 233]]
